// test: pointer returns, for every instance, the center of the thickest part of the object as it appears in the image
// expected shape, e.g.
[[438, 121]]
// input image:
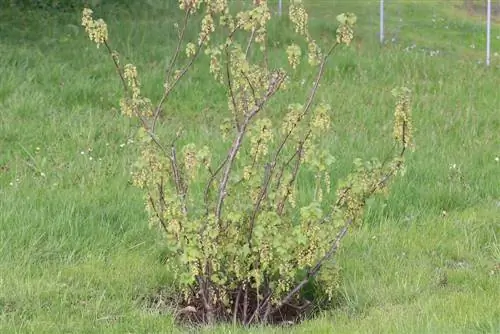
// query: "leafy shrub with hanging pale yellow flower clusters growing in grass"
[[245, 243]]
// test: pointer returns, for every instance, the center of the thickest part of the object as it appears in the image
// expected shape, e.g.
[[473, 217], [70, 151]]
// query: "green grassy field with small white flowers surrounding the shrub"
[[76, 253]]
